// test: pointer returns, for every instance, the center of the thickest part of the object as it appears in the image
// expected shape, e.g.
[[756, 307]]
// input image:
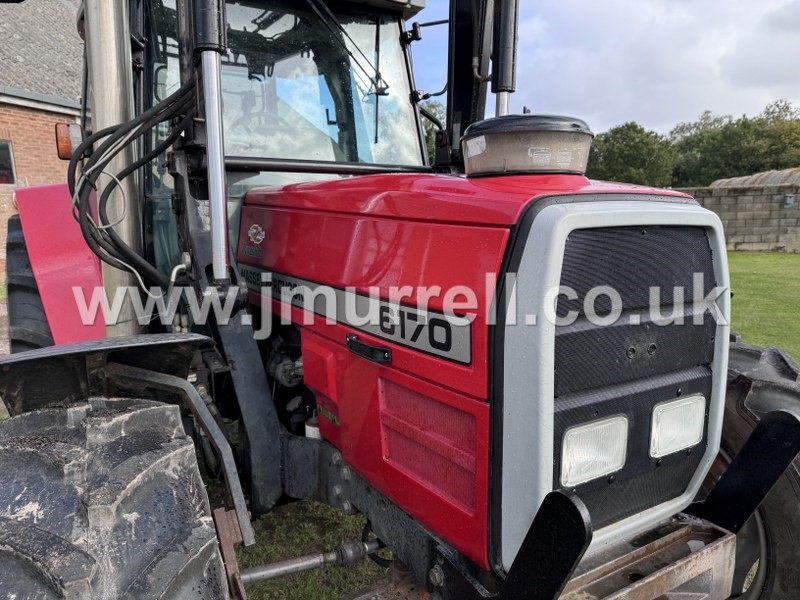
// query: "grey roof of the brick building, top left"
[[41, 52]]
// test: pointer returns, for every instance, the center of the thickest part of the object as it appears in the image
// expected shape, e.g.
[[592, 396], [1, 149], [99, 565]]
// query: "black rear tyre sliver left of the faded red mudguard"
[[27, 322]]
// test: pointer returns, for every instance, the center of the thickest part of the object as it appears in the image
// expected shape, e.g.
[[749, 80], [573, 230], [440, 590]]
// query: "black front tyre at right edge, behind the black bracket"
[[761, 380]]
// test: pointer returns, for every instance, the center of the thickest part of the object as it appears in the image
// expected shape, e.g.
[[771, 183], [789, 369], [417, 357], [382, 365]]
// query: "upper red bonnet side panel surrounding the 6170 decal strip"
[[345, 250]]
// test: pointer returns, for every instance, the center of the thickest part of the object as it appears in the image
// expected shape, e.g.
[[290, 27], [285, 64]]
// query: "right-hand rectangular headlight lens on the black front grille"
[[677, 425]]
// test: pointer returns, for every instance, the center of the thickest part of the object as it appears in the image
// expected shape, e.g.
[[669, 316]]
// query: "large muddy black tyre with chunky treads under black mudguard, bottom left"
[[104, 501]]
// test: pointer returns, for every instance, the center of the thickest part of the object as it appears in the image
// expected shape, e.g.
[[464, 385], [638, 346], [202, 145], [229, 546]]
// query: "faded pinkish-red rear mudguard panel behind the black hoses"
[[61, 261]]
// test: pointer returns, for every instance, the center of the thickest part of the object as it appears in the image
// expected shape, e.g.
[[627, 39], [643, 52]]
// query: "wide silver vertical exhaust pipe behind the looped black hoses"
[[108, 51]]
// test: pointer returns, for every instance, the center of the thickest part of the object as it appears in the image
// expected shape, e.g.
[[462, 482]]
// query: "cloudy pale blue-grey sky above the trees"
[[657, 62]]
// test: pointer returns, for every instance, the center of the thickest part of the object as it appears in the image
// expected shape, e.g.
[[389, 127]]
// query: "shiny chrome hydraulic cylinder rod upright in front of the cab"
[[212, 88]]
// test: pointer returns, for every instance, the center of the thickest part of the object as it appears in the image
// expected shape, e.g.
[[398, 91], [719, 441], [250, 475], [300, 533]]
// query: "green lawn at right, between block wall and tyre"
[[766, 302]]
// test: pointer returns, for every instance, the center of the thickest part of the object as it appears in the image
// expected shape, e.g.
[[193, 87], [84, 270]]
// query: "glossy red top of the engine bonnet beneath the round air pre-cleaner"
[[493, 201]]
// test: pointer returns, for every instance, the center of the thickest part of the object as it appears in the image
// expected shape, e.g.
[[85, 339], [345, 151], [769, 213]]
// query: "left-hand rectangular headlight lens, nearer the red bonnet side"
[[593, 450]]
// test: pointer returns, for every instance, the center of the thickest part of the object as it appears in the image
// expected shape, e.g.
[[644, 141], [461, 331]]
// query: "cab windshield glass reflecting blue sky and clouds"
[[309, 80]]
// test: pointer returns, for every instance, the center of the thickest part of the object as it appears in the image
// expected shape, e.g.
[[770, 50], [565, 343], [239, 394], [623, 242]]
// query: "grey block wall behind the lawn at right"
[[755, 218]]
